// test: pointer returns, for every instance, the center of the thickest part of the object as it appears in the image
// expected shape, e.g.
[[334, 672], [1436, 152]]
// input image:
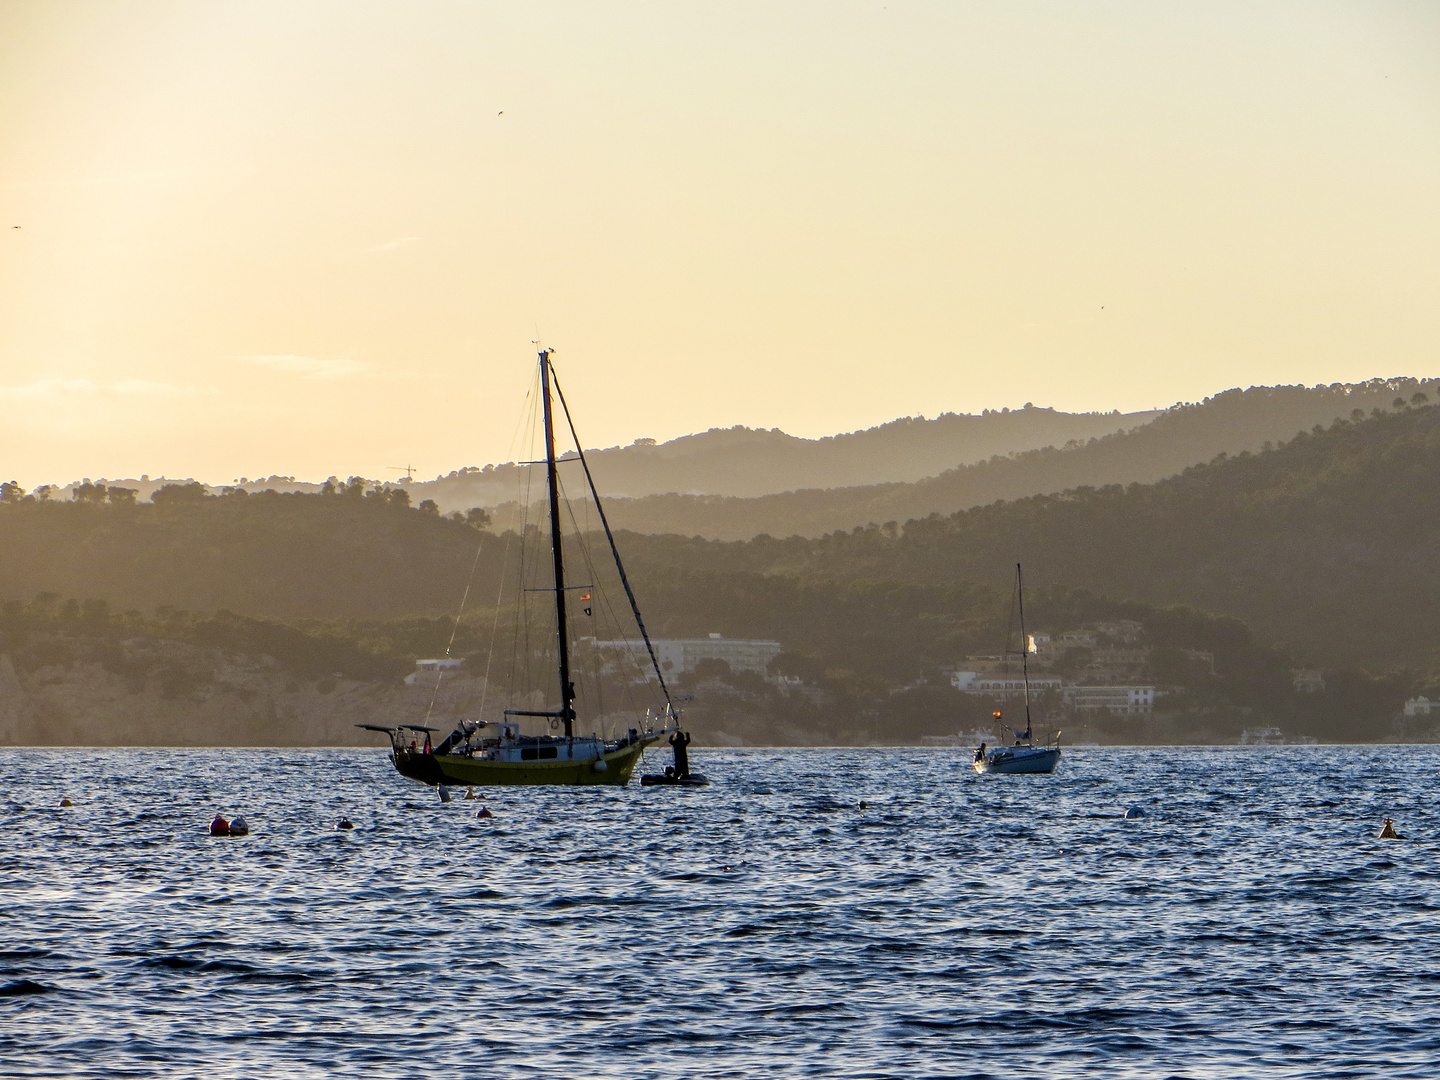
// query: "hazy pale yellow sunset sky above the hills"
[[313, 238]]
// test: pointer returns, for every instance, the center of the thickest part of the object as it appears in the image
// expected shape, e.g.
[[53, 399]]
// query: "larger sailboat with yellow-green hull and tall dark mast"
[[487, 754]]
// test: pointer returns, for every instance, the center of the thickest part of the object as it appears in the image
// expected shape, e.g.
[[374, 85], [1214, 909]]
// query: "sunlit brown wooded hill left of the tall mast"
[[319, 557]]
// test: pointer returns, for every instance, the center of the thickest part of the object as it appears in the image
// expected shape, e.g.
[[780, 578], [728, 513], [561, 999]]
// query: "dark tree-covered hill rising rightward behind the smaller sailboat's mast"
[[1328, 545]]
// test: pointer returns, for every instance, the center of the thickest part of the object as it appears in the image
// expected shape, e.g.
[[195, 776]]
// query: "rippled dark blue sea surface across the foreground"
[[771, 925]]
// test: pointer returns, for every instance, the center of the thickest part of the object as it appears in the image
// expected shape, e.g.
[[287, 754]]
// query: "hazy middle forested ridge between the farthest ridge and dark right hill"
[[1229, 423]]
